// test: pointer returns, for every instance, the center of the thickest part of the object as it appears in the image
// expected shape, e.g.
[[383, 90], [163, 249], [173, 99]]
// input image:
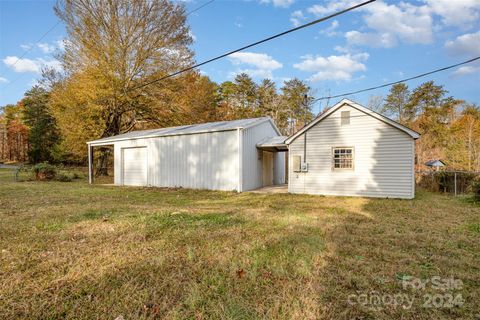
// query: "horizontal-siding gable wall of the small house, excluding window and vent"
[[383, 158]]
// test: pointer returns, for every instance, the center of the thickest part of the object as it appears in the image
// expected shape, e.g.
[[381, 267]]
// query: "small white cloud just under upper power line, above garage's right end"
[[263, 64]]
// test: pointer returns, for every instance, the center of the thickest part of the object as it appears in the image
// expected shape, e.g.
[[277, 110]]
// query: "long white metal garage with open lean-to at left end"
[[217, 156]]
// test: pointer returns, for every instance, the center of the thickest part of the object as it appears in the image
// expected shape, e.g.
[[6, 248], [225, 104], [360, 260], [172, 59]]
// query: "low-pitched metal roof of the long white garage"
[[188, 129]]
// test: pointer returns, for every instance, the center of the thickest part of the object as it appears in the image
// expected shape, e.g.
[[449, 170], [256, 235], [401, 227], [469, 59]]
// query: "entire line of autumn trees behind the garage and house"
[[115, 50]]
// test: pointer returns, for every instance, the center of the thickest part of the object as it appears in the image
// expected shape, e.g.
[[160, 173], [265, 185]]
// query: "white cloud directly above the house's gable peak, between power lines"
[[339, 68]]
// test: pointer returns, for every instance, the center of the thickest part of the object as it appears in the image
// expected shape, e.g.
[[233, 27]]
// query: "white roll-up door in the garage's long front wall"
[[135, 166]]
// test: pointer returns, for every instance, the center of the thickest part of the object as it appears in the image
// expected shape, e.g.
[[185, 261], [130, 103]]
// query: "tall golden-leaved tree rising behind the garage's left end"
[[112, 49]]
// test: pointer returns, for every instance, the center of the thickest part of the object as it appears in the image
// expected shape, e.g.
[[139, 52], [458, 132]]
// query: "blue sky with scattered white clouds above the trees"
[[382, 42]]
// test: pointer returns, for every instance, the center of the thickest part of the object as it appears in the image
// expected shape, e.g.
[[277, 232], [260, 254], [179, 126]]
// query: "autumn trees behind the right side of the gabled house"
[[449, 128]]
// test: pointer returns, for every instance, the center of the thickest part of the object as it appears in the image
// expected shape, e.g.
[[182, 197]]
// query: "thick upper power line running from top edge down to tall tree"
[[254, 44]]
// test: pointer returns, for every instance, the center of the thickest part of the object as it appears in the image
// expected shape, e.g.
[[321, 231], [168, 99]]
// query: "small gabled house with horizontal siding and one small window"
[[350, 150]]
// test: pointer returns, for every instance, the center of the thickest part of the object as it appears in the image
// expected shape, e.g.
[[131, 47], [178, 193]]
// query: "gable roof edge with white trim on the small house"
[[376, 115]]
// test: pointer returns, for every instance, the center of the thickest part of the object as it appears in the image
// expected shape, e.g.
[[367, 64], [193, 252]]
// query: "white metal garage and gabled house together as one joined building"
[[348, 150]]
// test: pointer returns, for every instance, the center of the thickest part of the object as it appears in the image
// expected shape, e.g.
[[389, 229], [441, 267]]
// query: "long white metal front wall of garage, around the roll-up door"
[[197, 161]]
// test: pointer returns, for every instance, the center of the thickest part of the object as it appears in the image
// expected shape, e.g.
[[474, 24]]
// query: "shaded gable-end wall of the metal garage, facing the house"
[[252, 177]]
